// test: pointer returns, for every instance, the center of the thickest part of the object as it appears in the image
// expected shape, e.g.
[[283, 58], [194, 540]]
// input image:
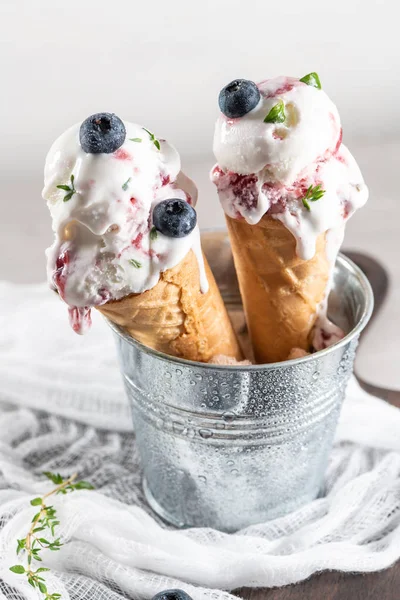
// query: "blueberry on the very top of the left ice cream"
[[102, 133]]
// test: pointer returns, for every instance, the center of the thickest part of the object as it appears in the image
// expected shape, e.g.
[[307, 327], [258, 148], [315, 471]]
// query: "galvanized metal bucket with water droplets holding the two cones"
[[225, 447]]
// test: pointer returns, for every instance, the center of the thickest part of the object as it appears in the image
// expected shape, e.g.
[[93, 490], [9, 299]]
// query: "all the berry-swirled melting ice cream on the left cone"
[[105, 247]]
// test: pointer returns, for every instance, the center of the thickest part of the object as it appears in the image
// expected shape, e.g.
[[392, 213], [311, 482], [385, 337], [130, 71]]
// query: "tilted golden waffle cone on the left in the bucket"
[[176, 318]]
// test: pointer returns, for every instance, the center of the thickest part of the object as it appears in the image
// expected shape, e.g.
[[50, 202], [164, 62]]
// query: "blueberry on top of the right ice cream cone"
[[238, 98]]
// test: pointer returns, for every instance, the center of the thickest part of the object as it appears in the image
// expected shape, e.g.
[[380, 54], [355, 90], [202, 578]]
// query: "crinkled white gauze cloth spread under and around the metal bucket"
[[115, 547]]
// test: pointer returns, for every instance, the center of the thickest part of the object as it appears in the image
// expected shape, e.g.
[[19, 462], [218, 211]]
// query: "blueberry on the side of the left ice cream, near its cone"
[[174, 218]]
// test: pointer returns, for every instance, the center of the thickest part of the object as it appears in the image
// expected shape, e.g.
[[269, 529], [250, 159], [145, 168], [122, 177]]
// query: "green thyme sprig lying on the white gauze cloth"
[[42, 528]]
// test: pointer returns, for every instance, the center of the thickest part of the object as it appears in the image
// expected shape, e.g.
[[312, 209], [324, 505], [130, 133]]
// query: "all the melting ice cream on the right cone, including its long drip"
[[267, 168]]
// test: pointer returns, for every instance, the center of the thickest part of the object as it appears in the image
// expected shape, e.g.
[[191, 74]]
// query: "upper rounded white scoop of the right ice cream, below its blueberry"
[[305, 127]]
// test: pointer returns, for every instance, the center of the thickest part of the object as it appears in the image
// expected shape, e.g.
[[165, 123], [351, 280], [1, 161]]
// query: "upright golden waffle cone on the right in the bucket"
[[280, 291]]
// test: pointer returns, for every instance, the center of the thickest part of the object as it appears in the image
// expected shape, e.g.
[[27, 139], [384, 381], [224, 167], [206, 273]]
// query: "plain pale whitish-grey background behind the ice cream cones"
[[162, 64]]
